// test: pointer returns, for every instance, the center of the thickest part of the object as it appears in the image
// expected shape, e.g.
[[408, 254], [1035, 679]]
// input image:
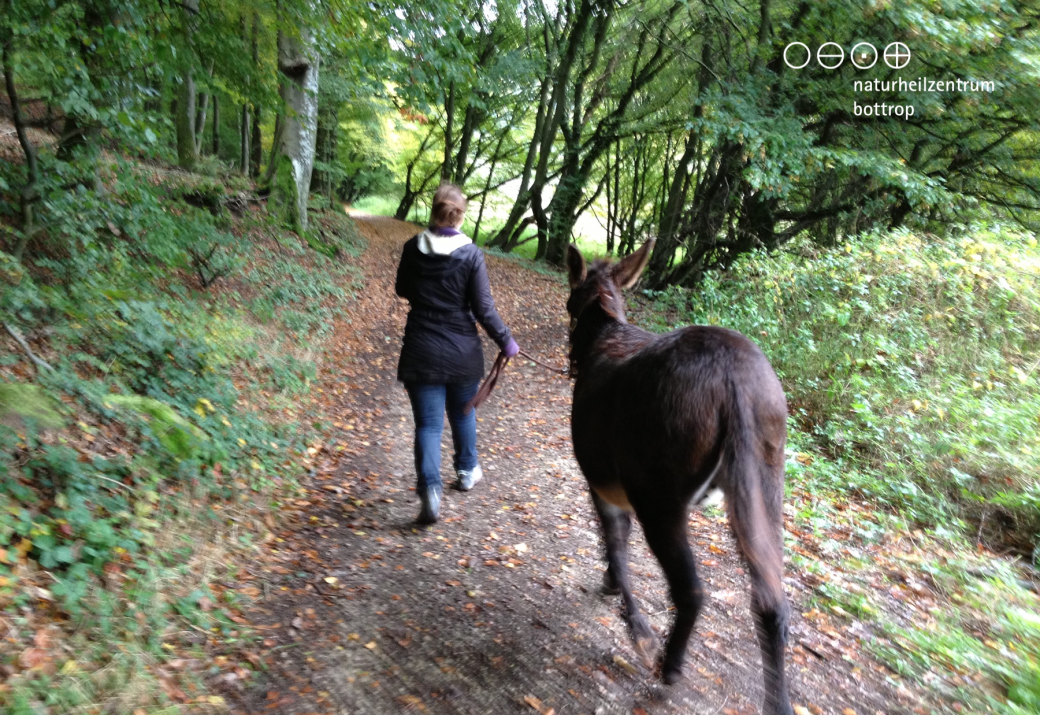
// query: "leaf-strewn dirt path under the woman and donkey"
[[497, 610]]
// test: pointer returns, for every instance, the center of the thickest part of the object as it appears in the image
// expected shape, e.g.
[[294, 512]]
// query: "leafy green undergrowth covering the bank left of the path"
[[168, 413]]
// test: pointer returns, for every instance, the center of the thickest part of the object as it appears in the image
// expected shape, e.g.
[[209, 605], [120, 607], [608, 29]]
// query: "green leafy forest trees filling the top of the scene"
[[673, 120]]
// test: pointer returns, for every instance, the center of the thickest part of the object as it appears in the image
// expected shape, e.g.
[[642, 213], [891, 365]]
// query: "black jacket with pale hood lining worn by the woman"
[[447, 295]]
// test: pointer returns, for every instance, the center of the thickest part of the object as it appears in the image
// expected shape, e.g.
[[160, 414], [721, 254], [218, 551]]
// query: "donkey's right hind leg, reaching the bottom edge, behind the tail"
[[757, 517]]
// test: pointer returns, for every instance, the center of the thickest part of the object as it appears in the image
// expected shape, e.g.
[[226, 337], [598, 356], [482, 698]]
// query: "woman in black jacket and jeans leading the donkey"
[[444, 276]]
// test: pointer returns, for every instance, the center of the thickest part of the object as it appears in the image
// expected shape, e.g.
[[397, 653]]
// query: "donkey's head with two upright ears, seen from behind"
[[601, 284]]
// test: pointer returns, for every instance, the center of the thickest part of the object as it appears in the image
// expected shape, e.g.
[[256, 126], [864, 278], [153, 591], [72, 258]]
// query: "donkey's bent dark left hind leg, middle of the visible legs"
[[666, 533]]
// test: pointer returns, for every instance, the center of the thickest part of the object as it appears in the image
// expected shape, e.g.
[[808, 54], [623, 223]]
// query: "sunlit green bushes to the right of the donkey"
[[909, 365]]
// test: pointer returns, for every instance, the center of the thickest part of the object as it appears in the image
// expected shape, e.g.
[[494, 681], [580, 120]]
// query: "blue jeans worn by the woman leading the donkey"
[[428, 408]]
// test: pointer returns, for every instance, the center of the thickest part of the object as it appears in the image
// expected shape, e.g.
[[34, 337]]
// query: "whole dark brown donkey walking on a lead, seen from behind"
[[657, 421]]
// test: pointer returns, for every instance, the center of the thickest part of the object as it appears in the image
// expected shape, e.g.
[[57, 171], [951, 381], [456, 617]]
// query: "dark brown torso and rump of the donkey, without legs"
[[666, 415]]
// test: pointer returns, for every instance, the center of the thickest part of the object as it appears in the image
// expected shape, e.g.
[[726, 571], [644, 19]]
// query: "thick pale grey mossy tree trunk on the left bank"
[[298, 61]]
